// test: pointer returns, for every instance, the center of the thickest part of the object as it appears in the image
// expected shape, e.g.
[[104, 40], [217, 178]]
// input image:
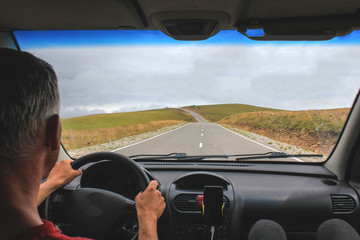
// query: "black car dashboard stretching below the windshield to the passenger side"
[[297, 196]]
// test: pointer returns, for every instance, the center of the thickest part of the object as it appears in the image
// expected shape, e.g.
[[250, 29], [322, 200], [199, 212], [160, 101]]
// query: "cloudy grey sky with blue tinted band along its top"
[[104, 72]]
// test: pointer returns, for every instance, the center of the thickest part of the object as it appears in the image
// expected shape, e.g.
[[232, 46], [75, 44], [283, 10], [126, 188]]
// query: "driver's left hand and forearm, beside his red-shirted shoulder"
[[61, 174]]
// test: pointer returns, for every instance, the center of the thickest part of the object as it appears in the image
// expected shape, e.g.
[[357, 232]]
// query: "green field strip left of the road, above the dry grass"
[[124, 119]]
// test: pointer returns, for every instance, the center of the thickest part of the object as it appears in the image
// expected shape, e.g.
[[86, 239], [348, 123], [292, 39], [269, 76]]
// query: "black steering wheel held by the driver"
[[98, 213]]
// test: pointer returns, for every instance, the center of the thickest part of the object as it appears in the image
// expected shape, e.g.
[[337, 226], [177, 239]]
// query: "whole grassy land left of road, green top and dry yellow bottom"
[[101, 128]]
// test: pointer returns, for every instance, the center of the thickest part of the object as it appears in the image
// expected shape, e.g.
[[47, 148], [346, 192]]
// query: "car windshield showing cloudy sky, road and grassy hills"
[[141, 92]]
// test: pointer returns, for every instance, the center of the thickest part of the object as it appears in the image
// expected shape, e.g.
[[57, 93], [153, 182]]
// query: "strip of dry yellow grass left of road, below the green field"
[[74, 139]]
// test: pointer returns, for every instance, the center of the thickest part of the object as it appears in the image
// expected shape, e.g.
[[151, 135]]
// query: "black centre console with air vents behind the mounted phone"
[[187, 206]]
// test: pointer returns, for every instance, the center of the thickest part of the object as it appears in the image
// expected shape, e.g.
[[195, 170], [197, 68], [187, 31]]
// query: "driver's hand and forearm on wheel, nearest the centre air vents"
[[149, 206]]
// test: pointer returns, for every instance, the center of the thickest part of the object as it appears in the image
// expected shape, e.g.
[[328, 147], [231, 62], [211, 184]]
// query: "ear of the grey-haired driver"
[[53, 132]]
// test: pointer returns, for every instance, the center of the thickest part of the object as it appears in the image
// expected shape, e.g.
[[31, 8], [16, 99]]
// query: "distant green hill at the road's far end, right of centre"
[[215, 113]]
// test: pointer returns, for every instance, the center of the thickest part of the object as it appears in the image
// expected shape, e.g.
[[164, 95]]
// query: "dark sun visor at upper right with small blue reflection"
[[300, 29]]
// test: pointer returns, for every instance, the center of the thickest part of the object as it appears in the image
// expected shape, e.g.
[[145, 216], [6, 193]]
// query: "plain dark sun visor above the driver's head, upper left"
[[69, 15]]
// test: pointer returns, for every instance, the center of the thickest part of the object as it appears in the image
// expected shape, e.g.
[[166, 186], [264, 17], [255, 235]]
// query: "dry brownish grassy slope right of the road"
[[315, 130]]
